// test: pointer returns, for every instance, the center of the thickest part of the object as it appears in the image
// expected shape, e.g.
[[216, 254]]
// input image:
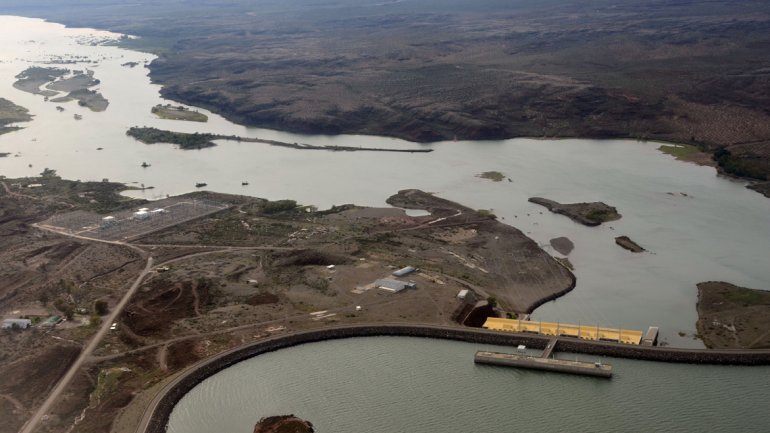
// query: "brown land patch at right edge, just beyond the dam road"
[[733, 317]]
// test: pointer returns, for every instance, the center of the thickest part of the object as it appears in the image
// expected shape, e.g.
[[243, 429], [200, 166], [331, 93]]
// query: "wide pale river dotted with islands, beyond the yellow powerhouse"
[[696, 225]]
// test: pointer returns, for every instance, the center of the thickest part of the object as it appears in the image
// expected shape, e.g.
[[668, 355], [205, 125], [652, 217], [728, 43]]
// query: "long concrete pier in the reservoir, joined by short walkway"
[[544, 362]]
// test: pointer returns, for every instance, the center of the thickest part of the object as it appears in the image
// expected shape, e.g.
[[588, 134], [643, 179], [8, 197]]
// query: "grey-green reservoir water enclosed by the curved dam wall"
[[403, 384]]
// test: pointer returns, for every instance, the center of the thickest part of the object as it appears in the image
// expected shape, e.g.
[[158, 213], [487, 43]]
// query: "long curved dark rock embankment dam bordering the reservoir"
[[156, 416]]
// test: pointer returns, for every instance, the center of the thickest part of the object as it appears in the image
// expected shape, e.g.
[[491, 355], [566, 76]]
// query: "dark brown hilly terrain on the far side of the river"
[[689, 71]]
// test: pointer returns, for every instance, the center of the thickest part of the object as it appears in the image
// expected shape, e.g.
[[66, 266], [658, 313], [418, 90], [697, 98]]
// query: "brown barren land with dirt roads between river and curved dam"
[[251, 270]]
